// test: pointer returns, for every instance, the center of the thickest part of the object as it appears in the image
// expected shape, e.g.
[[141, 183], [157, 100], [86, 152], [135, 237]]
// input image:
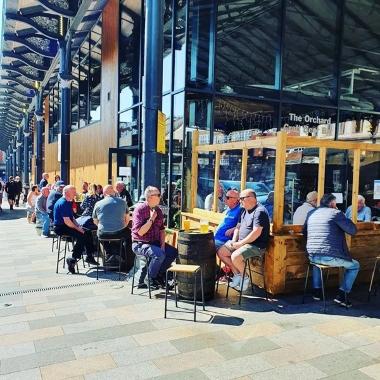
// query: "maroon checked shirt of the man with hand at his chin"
[[141, 215]]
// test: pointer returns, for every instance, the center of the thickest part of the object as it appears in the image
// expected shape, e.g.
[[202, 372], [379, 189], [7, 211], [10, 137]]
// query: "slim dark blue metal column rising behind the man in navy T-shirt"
[[65, 111]]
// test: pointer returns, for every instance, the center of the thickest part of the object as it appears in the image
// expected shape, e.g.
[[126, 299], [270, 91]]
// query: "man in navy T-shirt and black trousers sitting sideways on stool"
[[65, 224]]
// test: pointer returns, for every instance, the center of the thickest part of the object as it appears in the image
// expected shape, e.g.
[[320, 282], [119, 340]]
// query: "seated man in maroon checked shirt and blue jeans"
[[148, 237]]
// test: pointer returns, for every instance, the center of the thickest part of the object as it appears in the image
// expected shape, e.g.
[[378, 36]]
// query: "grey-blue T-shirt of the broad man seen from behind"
[[110, 212]]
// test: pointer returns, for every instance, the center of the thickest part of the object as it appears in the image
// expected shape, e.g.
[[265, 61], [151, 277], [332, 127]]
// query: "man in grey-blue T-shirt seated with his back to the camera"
[[111, 215]]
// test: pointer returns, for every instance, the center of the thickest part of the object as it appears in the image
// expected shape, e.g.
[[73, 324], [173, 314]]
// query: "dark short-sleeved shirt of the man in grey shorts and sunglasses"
[[257, 217]]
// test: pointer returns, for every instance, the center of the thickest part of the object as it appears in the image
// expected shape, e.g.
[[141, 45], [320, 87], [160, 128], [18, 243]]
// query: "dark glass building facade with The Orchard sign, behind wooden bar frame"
[[239, 69]]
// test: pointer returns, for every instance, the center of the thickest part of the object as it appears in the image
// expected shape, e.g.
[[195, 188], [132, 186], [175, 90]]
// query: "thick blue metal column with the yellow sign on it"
[[153, 92]]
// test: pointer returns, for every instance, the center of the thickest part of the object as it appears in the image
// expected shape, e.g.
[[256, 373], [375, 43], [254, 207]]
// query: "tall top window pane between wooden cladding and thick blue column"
[[130, 42]]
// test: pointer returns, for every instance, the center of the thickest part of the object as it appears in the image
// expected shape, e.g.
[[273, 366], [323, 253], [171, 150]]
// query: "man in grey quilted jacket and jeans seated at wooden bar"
[[325, 228]]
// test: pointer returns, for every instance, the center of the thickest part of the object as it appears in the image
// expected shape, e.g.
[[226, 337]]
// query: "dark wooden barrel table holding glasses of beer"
[[197, 249]]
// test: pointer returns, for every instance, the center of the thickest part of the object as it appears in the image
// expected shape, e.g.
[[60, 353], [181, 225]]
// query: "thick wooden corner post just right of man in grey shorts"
[[279, 184]]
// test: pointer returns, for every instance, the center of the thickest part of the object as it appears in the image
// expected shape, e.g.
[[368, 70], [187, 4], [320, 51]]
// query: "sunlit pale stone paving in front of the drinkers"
[[63, 326]]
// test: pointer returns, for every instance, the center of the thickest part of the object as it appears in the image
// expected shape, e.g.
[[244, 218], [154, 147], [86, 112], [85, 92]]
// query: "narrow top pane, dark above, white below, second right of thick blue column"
[[179, 45]]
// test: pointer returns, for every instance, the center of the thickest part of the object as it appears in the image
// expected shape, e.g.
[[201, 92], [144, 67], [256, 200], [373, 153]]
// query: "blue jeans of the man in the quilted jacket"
[[350, 273]]
